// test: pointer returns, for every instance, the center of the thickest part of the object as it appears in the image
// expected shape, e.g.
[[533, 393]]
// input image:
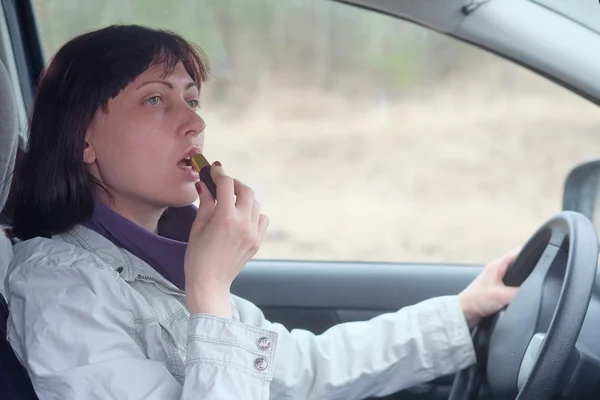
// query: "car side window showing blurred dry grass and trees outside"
[[367, 138]]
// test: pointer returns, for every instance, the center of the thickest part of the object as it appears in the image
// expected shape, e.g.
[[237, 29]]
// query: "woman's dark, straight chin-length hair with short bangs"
[[54, 190]]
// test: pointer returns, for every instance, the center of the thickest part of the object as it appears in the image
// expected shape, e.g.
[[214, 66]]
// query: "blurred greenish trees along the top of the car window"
[[253, 43]]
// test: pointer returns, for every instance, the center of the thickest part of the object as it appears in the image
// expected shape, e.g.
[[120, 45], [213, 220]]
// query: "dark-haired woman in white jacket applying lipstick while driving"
[[120, 288]]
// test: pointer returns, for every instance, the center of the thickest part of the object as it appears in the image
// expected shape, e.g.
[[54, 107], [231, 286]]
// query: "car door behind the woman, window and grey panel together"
[[393, 158]]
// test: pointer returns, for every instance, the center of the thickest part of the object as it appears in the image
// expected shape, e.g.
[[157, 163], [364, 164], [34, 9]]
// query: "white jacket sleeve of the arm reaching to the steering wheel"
[[378, 357]]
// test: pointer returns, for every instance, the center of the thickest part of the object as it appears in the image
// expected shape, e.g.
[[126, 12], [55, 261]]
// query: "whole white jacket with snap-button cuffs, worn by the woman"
[[89, 320]]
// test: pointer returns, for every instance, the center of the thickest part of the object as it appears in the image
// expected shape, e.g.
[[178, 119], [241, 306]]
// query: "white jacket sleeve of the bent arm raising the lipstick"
[[72, 329]]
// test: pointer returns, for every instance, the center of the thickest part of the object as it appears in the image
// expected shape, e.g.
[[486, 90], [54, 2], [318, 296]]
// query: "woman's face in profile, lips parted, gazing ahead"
[[136, 148]]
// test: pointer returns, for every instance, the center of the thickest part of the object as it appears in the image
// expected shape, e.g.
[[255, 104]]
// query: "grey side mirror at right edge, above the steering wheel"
[[581, 191]]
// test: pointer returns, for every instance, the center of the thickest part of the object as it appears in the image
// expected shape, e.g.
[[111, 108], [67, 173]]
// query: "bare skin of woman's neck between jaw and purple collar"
[[138, 212]]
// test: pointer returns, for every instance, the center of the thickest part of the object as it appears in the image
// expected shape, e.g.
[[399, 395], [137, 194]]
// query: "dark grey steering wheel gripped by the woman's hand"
[[526, 351]]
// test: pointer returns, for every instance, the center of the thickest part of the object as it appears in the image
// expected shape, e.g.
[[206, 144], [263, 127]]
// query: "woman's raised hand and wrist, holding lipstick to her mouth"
[[225, 235]]
